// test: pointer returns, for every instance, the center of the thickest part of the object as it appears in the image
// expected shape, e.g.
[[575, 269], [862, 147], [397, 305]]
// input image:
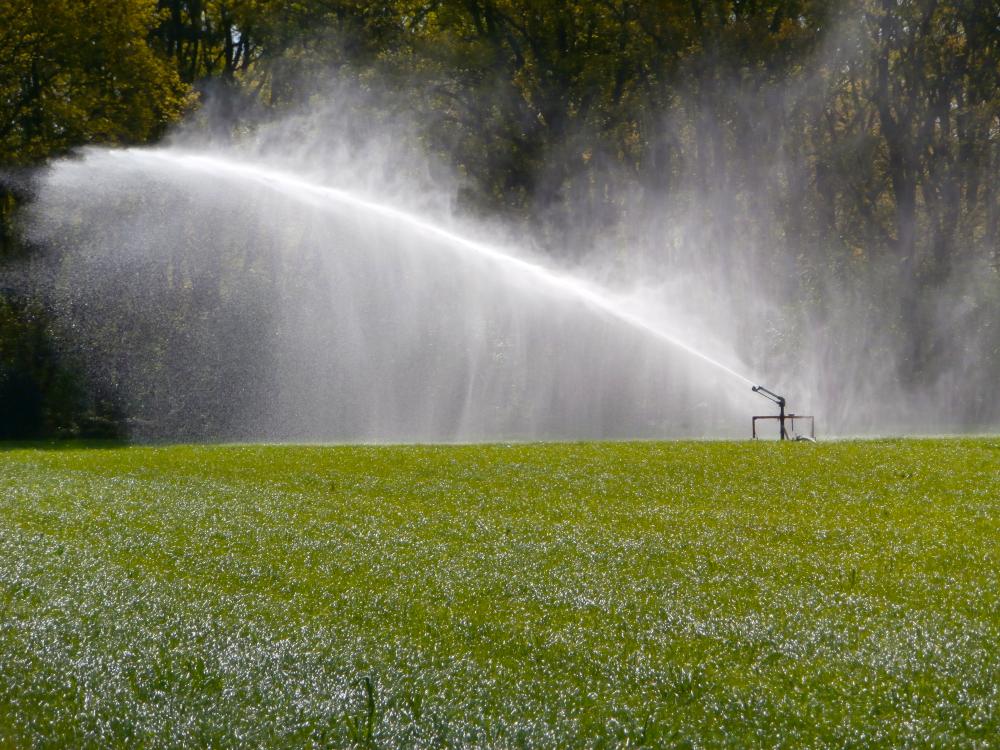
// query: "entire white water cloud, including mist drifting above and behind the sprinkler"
[[314, 281]]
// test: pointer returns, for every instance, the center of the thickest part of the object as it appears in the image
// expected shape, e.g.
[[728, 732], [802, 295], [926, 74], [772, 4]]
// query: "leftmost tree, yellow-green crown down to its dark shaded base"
[[72, 72]]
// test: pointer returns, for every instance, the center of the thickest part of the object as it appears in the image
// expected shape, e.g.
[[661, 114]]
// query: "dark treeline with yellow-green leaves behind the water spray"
[[844, 137]]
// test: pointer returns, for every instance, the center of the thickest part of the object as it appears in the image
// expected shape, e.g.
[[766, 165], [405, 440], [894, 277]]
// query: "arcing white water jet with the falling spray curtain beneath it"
[[256, 304]]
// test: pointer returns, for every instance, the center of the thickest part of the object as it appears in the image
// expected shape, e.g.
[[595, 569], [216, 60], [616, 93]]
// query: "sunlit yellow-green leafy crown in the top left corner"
[[74, 72]]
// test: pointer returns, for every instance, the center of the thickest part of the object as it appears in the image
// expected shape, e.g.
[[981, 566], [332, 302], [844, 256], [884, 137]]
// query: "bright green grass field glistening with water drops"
[[690, 594]]
